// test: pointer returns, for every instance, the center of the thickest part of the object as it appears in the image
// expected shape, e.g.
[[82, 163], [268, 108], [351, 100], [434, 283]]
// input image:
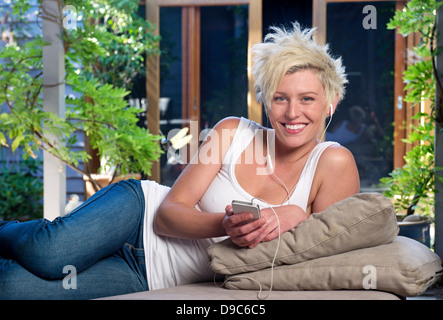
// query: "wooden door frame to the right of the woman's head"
[[401, 110]]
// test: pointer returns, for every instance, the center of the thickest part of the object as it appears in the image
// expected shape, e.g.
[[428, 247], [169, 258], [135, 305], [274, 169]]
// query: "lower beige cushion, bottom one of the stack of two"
[[404, 267]]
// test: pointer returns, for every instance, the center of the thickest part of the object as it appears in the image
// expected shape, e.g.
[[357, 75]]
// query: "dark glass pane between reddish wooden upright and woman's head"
[[223, 73]]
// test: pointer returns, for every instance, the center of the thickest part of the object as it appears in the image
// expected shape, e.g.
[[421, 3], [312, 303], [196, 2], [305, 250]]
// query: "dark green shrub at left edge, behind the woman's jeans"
[[21, 191]]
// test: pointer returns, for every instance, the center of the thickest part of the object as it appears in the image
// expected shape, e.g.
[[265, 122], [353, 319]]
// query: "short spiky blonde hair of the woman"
[[285, 52]]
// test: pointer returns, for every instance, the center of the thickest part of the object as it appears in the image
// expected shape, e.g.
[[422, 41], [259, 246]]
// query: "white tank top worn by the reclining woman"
[[172, 261]]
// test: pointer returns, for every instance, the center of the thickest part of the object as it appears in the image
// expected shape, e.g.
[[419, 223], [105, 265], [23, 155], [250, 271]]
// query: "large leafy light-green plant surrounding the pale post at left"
[[101, 54]]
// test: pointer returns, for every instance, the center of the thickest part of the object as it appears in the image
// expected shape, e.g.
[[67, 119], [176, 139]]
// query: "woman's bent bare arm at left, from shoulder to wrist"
[[176, 216]]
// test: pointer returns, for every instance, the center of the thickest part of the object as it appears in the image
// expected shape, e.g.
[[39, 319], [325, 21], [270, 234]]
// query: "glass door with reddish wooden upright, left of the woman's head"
[[203, 74]]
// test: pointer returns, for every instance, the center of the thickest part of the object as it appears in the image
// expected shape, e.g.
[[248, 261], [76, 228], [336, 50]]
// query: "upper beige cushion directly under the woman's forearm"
[[360, 221]]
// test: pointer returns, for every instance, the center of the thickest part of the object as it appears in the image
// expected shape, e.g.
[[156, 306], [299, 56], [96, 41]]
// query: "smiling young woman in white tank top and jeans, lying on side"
[[134, 236]]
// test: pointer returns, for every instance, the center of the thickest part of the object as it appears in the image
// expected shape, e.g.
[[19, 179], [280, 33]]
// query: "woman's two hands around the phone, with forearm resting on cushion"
[[247, 233]]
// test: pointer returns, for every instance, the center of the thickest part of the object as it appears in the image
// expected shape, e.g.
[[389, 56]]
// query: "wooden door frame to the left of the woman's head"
[[191, 52]]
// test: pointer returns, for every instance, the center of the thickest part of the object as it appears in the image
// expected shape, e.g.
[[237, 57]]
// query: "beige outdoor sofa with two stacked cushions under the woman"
[[350, 251]]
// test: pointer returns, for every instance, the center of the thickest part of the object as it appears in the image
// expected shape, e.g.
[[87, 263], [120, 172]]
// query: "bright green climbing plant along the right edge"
[[413, 186]]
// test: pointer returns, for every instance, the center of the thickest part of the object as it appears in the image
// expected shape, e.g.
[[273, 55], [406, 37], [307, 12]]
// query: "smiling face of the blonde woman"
[[298, 109]]
